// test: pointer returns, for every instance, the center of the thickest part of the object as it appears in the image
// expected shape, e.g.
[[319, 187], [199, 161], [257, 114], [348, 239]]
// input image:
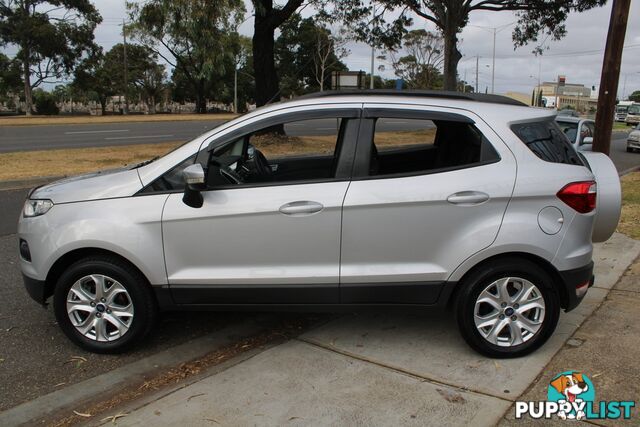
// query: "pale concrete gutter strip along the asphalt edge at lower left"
[[76, 395]]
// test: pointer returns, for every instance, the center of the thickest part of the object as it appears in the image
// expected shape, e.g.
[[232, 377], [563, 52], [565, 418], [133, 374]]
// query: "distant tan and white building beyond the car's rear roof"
[[576, 96]]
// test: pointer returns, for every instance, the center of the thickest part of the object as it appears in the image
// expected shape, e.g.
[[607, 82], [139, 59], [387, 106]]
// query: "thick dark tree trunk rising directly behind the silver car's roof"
[[267, 82]]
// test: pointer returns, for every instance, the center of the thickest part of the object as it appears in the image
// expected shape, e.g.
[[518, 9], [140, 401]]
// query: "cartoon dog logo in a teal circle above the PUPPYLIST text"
[[572, 390]]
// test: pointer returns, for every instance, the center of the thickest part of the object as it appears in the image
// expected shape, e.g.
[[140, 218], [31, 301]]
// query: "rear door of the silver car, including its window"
[[430, 188]]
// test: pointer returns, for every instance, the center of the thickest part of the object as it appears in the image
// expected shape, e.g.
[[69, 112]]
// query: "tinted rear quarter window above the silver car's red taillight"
[[547, 142]]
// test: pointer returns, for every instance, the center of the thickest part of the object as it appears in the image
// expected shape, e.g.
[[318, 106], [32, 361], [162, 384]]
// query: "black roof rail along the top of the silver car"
[[478, 97]]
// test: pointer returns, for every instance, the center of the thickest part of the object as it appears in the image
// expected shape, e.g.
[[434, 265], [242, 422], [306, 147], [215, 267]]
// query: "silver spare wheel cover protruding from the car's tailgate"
[[609, 199]]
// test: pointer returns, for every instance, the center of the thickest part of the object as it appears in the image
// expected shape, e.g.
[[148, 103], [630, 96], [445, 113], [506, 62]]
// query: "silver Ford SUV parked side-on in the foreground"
[[415, 200]]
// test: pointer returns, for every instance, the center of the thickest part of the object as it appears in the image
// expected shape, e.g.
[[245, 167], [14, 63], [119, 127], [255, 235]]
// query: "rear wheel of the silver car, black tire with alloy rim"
[[478, 296]]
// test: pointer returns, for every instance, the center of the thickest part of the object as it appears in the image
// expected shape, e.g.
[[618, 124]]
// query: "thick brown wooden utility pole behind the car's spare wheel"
[[610, 75]]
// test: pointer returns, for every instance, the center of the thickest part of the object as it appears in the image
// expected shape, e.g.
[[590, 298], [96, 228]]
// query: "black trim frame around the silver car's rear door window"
[[367, 134]]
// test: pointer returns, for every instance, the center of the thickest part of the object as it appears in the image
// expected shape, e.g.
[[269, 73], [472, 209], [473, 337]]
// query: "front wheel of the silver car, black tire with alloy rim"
[[112, 324]]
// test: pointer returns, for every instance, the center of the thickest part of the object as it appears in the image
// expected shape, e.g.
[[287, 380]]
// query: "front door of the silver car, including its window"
[[274, 237]]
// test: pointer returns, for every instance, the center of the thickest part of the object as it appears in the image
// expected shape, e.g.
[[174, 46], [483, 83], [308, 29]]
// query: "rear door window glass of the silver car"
[[410, 146]]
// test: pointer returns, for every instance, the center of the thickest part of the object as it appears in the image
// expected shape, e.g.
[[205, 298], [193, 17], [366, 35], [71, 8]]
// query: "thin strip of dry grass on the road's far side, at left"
[[78, 120]]
